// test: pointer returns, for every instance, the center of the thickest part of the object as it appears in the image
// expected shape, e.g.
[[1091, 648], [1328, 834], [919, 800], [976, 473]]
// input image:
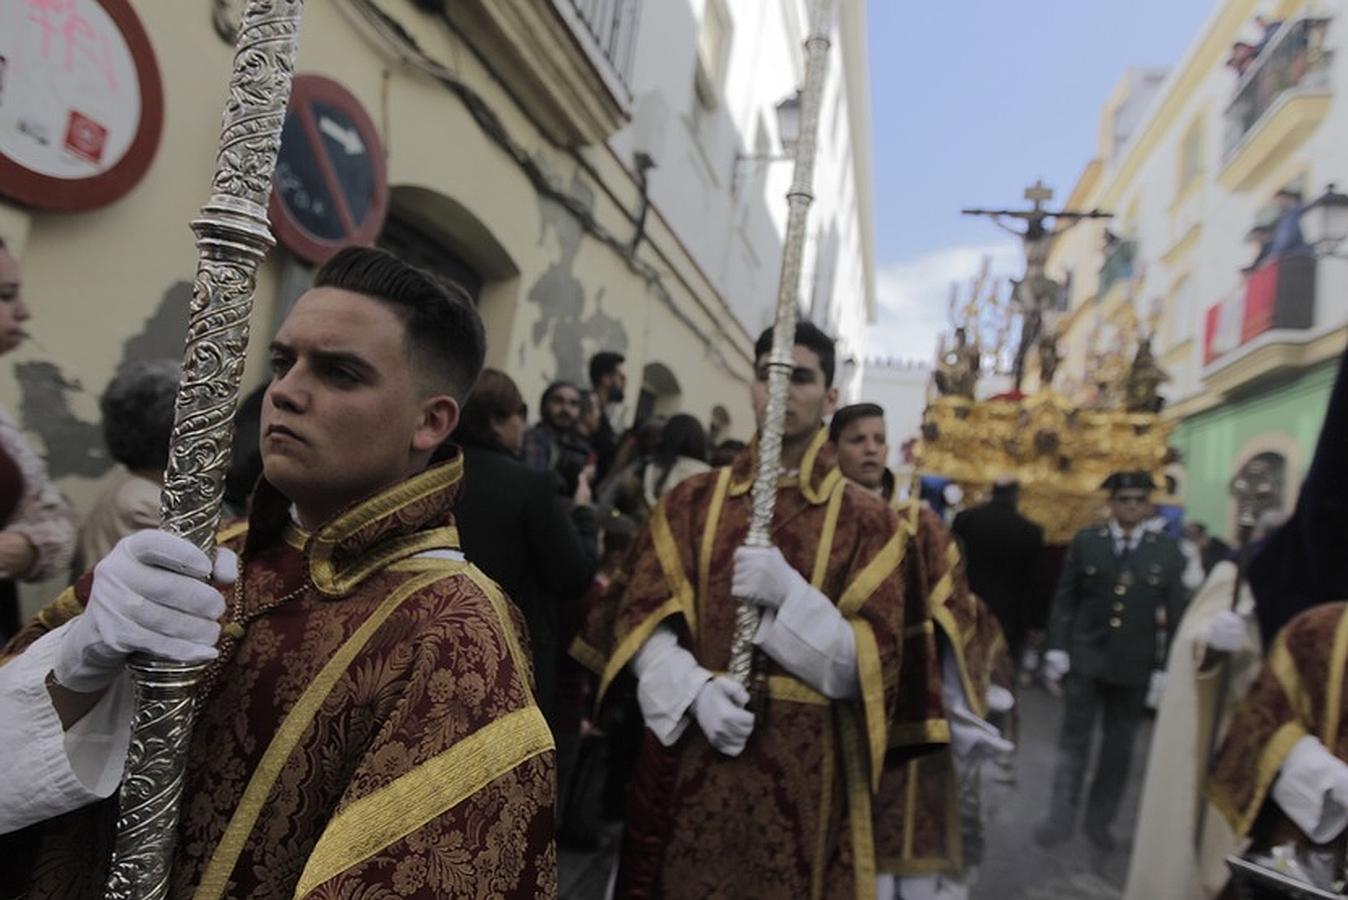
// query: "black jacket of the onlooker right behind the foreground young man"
[[517, 529]]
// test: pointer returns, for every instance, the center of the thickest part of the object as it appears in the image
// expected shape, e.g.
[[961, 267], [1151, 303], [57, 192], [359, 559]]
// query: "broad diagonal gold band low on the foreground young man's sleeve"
[[392, 813]]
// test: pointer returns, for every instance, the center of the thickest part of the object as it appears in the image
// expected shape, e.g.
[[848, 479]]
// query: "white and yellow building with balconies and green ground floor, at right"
[[1202, 254]]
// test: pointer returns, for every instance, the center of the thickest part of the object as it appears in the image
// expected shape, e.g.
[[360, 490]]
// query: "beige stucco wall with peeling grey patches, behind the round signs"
[[99, 281]]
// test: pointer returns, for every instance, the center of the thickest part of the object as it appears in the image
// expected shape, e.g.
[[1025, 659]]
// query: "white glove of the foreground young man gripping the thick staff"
[[150, 595]]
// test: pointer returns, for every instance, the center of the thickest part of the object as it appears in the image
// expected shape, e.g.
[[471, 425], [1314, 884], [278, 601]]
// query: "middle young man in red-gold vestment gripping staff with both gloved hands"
[[776, 801]]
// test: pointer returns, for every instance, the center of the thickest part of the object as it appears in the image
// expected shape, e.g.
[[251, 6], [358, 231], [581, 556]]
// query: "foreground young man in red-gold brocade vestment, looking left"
[[366, 727]]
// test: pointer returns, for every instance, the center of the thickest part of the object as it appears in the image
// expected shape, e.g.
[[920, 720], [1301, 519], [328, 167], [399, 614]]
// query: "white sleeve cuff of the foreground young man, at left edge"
[[55, 771]]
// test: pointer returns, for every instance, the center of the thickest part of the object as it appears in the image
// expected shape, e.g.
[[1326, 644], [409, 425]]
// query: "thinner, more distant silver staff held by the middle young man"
[[784, 329]]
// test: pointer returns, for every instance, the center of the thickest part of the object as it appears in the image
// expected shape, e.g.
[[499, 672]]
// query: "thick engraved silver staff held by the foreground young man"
[[233, 239]]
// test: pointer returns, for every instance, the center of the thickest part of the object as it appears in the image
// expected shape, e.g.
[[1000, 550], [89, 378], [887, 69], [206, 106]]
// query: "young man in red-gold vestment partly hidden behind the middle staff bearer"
[[919, 837]]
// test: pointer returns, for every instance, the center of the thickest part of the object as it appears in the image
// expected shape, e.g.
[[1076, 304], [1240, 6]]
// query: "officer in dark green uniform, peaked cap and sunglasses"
[[1117, 583]]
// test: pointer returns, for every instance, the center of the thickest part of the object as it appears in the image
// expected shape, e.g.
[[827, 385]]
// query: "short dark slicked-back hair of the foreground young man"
[[443, 327]]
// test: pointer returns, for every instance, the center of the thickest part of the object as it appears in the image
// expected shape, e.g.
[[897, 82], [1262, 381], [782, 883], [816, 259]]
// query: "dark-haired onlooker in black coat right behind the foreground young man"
[[514, 526]]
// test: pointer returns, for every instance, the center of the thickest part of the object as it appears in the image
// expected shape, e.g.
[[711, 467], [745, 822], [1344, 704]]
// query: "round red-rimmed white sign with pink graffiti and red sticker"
[[82, 104]]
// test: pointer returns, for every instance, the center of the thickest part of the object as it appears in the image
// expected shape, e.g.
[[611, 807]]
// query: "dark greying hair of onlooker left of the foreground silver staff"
[[138, 414]]
